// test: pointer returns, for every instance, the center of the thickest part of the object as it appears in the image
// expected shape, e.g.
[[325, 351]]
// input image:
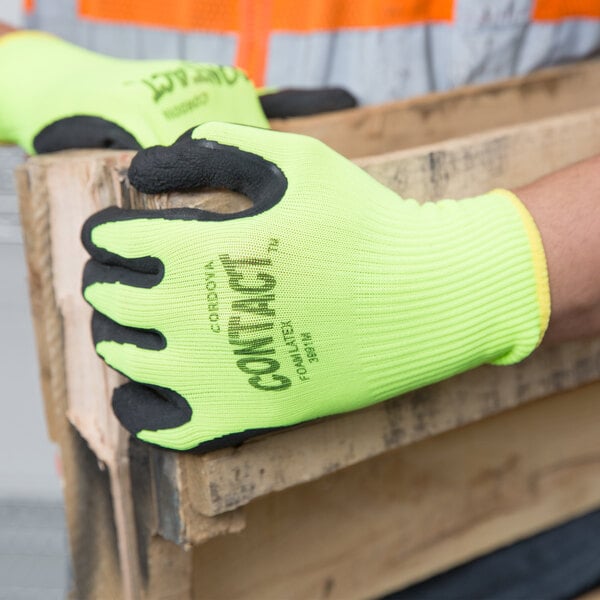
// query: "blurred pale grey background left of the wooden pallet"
[[33, 545]]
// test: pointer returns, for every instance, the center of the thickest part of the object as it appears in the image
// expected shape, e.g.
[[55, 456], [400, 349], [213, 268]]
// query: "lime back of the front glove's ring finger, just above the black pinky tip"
[[139, 364]]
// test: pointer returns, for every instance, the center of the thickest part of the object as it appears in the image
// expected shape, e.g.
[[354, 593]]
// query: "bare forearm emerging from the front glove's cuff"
[[566, 208]]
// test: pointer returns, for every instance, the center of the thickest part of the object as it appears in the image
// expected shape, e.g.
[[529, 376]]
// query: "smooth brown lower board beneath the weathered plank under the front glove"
[[386, 523]]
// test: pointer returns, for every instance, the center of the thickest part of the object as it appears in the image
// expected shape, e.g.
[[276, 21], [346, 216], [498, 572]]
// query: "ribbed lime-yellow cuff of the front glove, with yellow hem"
[[464, 285]]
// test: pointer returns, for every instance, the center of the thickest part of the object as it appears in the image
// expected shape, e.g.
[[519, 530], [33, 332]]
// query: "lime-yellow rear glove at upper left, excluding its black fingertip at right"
[[58, 95]]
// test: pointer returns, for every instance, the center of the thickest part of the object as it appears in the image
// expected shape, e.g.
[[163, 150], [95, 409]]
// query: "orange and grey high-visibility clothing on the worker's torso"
[[379, 49]]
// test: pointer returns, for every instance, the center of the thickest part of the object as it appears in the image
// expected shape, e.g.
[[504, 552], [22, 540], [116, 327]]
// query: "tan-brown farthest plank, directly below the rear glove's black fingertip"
[[373, 130]]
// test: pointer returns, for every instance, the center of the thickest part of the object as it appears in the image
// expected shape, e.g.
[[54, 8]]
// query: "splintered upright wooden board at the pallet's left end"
[[51, 218]]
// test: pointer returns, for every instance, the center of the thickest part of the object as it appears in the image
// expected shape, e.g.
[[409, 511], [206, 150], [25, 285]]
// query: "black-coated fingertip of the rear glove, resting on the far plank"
[[300, 102]]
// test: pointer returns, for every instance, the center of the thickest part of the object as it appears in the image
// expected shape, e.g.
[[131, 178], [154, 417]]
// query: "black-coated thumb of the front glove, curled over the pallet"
[[191, 164]]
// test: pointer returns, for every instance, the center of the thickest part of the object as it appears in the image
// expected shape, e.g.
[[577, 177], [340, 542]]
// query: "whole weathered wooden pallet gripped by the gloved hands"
[[354, 505]]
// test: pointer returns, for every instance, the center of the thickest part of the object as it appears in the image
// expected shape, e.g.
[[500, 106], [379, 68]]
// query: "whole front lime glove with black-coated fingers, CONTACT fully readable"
[[329, 294]]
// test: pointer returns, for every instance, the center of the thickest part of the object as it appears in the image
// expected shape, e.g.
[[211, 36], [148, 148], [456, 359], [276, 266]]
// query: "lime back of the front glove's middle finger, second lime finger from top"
[[127, 305]]
